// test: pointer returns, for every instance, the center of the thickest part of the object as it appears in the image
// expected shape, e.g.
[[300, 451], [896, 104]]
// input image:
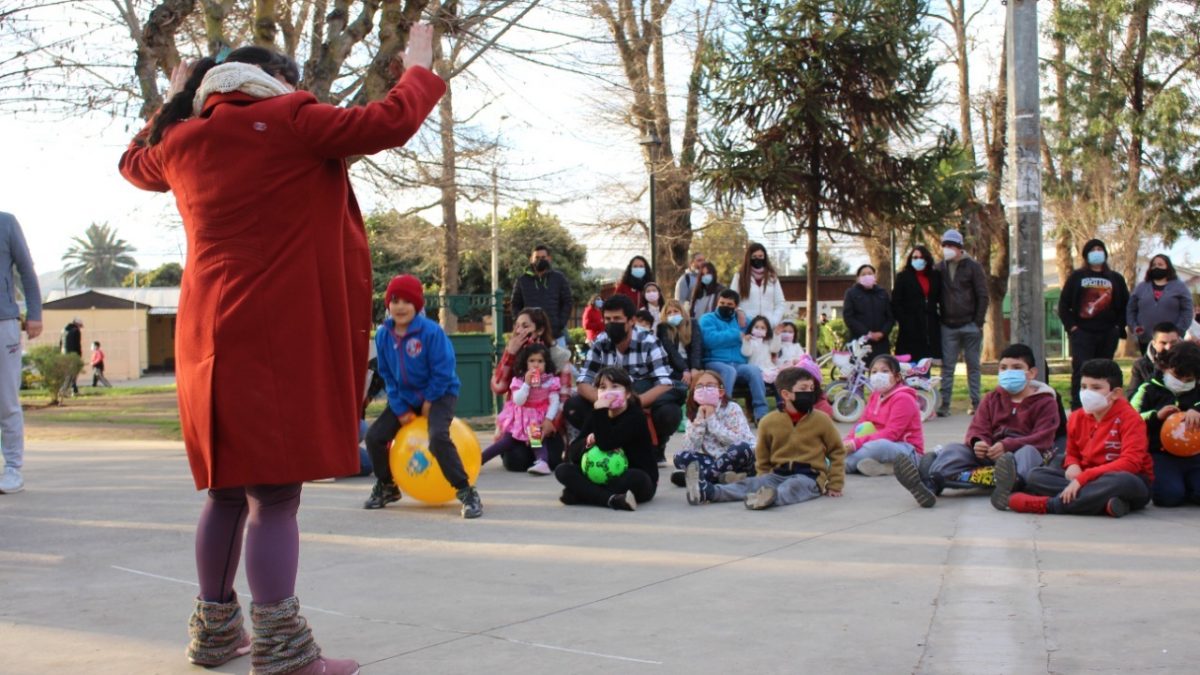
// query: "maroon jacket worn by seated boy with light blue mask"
[[1033, 422]]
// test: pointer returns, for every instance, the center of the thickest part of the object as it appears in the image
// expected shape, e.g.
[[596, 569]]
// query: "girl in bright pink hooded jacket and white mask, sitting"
[[896, 416]]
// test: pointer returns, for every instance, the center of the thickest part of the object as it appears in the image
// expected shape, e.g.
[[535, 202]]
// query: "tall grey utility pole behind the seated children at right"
[[1025, 171]]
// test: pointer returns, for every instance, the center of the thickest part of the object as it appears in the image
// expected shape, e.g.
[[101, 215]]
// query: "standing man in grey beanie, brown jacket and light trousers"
[[963, 312]]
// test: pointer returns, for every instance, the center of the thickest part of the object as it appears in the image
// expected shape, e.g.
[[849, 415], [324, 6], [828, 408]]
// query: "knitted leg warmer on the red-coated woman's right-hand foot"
[[283, 640]]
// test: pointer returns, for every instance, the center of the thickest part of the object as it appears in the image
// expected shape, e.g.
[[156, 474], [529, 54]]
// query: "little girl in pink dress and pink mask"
[[529, 416]]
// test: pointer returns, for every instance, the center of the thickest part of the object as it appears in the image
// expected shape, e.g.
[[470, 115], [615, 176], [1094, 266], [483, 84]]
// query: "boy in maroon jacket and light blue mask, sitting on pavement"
[[1012, 433]]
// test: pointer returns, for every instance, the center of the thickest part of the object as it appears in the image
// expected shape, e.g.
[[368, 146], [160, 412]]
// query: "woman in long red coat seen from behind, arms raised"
[[274, 319]]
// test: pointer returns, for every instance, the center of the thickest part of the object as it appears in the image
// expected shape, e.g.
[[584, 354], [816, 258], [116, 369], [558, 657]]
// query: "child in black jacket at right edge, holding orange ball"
[[1173, 391]]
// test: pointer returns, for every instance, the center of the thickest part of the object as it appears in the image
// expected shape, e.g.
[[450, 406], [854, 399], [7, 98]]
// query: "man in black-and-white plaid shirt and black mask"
[[643, 356]]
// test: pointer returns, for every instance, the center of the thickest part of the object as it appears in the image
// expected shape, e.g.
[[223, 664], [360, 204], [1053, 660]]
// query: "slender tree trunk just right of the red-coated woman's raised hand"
[[449, 186]]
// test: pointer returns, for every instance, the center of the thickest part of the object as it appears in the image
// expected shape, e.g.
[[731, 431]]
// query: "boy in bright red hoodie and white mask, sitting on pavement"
[[1108, 468]]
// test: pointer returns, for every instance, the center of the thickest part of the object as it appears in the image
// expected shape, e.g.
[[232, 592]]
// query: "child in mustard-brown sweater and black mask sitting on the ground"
[[800, 456]]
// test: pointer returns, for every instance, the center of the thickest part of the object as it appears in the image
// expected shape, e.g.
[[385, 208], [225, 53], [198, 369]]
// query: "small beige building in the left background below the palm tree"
[[136, 327]]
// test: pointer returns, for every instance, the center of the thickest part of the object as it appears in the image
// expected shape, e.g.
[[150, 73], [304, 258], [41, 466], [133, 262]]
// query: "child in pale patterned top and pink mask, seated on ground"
[[719, 440]]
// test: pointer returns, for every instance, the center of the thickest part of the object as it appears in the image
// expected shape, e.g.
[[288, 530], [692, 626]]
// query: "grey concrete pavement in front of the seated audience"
[[97, 576]]
